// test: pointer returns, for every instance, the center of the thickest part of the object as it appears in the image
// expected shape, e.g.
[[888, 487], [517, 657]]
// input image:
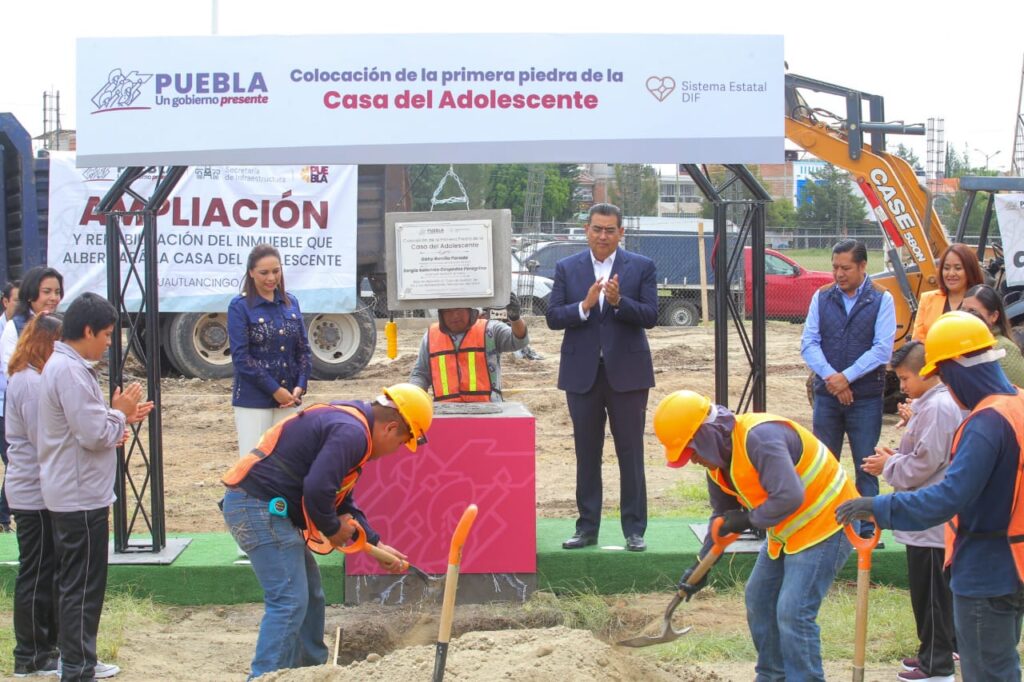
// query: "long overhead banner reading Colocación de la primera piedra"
[[431, 99]]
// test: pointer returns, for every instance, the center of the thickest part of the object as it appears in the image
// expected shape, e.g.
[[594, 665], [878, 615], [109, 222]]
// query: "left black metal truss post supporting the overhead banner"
[[143, 332]]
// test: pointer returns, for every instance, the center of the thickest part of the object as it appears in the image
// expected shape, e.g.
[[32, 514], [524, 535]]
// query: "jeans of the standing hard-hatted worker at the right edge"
[[989, 630]]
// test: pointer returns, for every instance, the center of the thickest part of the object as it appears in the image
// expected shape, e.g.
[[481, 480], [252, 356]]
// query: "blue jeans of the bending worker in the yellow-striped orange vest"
[[784, 596]]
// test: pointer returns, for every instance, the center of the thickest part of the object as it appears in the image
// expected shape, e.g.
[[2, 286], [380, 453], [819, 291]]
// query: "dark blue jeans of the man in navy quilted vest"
[[862, 421]]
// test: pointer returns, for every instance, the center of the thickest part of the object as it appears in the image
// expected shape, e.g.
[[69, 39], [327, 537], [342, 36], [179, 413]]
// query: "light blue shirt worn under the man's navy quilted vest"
[[882, 346]]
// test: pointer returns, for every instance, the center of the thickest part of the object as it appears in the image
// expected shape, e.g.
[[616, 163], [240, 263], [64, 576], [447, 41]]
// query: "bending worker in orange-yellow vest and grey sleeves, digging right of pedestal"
[[767, 473]]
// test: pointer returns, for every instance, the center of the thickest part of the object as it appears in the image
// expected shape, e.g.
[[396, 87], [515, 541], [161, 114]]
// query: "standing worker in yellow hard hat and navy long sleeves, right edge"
[[979, 499]]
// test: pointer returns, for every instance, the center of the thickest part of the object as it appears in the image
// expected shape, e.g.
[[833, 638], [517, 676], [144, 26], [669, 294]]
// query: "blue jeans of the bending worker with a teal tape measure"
[[291, 634]]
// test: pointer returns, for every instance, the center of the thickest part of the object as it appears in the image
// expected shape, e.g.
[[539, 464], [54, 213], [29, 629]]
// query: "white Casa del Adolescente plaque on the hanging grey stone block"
[[445, 260]]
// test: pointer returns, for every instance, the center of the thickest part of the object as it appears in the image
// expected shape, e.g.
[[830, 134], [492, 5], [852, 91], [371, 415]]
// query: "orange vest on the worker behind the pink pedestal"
[[460, 376]]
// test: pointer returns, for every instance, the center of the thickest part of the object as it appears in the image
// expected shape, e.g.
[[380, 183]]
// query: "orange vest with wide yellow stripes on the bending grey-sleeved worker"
[[826, 487]]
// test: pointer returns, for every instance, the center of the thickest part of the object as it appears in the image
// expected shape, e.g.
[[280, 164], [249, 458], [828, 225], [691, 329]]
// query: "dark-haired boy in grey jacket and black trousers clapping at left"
[[77, 440]]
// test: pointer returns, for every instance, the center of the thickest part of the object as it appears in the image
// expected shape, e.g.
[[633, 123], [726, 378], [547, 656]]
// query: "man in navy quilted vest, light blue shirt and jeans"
[[847, 342]]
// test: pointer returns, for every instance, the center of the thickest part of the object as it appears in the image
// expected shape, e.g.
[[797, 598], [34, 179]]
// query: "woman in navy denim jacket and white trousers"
[[270, 350]]
